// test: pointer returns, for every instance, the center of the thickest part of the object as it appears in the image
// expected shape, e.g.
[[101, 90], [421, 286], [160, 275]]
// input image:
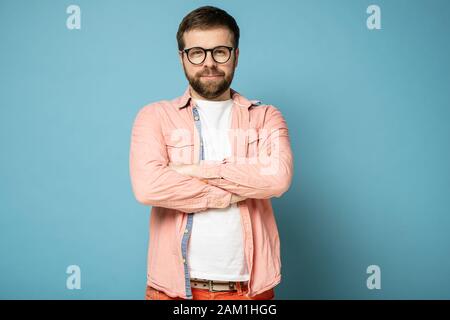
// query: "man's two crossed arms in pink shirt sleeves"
[[198, 187]]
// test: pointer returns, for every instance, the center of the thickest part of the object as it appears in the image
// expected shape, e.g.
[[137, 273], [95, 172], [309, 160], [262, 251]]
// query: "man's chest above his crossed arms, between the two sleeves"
[[233, 134]]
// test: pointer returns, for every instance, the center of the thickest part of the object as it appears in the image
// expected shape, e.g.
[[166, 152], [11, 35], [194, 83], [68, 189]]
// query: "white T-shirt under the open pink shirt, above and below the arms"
[[216, 245]]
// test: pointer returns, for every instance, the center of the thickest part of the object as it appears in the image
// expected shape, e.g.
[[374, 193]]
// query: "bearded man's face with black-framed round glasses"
[[209, 79]]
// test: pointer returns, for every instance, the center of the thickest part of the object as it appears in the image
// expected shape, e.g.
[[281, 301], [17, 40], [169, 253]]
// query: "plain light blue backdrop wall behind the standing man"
[[368, 114]]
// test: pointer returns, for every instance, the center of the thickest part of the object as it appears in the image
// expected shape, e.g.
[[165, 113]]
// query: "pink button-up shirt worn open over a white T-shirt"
[[261, 167]]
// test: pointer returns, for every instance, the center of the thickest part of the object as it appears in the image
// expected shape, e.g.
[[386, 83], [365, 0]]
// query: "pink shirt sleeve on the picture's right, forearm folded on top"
[[267, 175]]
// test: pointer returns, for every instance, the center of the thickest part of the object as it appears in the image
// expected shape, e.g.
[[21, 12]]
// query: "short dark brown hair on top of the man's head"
[[207, 17]]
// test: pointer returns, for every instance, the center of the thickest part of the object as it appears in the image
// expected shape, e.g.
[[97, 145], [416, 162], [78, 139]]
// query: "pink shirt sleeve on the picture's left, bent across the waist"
[[154, 183]]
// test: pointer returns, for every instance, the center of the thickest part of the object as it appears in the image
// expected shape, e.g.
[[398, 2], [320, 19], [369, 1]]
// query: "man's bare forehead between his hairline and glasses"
[[208, 38]]
